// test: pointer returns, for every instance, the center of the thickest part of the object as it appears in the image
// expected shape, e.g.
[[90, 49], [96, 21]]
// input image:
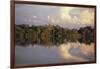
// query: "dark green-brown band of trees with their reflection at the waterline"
[[52, 35]]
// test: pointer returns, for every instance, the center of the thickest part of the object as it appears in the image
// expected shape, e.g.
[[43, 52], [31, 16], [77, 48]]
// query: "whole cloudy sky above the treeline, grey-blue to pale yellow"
[[66, 17]]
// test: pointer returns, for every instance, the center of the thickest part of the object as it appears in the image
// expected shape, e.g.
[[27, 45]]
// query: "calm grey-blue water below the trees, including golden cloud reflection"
[[64, 53]]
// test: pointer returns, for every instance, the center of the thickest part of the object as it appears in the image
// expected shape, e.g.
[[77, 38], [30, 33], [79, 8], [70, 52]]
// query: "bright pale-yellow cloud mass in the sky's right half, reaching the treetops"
[[76, 17]]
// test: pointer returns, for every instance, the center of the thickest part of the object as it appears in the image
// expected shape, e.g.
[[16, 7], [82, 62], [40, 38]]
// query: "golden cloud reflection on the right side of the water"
[[77, 51]]
